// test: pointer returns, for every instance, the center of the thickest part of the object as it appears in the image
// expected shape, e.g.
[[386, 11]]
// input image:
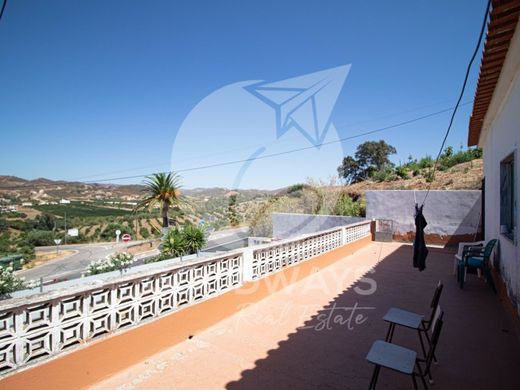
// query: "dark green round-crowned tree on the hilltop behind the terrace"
[[370, 157]]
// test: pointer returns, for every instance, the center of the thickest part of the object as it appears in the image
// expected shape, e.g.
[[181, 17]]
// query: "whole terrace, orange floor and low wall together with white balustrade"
[[304, 314]]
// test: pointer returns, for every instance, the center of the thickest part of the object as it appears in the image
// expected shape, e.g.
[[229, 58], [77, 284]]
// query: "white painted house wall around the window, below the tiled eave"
[[500, 140]]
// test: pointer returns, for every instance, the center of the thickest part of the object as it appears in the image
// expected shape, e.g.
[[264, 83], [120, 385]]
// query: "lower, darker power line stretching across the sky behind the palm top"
[[232, 162]]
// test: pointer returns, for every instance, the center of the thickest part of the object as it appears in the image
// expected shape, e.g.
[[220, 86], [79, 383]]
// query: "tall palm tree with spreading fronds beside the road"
[[163, 189]]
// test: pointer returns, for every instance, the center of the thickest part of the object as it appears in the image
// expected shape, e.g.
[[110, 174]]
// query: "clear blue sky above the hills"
[[95, 90]]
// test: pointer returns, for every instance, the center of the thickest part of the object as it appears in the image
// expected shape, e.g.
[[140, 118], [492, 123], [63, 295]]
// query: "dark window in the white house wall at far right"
[[507, 196]]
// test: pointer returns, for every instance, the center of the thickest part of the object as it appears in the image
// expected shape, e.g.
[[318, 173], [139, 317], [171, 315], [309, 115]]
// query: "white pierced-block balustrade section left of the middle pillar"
[[33, 332]]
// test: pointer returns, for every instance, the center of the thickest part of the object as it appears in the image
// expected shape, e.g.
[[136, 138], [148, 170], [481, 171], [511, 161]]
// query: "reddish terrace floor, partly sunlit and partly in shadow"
[[285, 341]]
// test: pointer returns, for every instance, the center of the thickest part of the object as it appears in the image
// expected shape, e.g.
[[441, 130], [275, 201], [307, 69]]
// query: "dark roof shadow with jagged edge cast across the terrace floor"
[[479, 347]]
